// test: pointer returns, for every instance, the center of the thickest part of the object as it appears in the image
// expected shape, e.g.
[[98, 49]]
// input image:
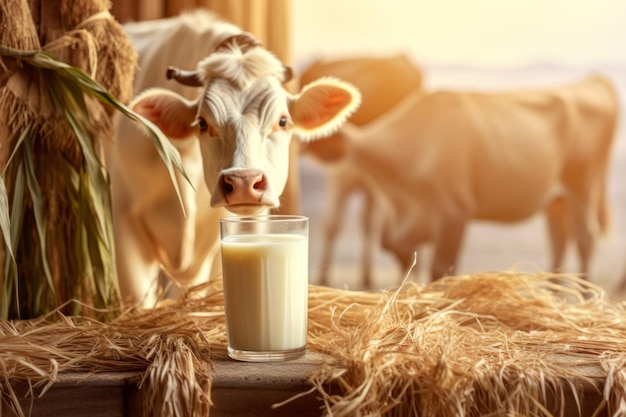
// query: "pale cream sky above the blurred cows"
[[492, 33]]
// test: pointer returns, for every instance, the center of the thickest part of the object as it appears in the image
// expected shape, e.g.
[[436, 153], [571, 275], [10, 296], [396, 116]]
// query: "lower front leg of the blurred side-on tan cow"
[[447, 247]]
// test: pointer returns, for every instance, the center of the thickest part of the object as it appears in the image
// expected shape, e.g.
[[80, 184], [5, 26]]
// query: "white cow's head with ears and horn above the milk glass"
[[245, 120]]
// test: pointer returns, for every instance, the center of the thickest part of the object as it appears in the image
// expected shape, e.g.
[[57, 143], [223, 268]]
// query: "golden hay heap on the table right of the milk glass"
[[474, 345]]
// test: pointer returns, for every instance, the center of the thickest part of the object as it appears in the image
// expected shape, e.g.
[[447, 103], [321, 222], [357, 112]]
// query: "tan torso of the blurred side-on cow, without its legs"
[[496, 156]]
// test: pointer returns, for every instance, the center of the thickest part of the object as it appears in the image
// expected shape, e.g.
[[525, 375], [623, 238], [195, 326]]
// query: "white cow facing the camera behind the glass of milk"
[[232, 122]]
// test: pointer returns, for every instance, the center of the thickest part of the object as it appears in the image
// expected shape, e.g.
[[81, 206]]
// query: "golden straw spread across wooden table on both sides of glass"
[[486, 344]]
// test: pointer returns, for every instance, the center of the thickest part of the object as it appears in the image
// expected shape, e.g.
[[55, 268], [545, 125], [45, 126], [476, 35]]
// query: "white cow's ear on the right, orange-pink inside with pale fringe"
[[322, 107]]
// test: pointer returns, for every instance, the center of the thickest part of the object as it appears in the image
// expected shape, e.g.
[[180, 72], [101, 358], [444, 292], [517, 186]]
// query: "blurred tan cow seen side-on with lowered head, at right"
[[442, 159]]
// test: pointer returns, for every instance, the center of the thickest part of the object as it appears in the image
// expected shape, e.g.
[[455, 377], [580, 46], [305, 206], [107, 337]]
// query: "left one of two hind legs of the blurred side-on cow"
[[558, 224]]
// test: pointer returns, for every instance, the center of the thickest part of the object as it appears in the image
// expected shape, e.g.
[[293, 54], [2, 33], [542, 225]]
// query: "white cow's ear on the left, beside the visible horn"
[[173, 114]]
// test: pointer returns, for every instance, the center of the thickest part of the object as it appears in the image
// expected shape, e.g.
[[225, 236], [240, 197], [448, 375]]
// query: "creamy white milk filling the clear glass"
[[265, 287]]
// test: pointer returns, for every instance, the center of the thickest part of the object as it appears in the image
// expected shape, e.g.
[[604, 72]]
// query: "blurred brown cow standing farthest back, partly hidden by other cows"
[[383, 82]]
